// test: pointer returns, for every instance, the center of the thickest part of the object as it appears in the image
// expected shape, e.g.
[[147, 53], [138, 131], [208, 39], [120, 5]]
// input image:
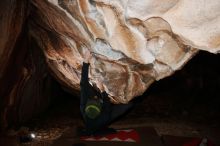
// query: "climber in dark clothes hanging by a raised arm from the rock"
[[95, 106]]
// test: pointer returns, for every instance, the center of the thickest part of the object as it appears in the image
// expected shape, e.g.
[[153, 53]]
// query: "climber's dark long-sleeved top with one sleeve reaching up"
[[87, 91]]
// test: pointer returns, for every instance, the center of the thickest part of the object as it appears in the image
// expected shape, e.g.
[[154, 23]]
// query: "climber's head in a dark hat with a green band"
[[93, 108]]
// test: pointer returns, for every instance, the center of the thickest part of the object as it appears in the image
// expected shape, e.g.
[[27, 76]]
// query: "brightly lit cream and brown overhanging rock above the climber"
[[133, 42]]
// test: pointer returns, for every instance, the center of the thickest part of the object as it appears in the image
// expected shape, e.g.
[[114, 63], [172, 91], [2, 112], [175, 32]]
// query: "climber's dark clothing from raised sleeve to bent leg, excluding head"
[[109, 111]]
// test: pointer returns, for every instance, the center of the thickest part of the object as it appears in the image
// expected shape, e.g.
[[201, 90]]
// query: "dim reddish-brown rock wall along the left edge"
[[12, 55]]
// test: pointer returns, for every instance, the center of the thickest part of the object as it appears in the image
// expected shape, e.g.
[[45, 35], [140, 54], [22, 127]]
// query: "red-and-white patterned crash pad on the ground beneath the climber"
[[143, 136]]
